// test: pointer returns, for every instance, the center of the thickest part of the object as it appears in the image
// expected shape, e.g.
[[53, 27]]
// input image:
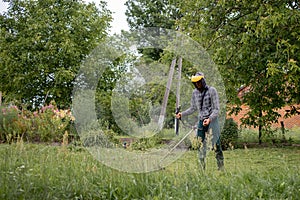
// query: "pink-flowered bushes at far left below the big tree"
[[46, 125]]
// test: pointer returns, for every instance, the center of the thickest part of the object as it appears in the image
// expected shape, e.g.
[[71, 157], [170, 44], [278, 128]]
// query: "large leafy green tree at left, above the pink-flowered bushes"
[[42, 44]]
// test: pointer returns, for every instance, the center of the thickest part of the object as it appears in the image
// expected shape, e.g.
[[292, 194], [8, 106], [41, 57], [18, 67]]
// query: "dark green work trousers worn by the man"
[[216, 143]]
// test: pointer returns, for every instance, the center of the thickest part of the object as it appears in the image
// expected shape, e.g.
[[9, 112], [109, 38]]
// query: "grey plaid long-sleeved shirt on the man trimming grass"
[[210, 108]]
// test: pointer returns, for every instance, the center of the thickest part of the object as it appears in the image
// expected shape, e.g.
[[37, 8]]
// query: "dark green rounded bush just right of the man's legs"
[[229, 135]]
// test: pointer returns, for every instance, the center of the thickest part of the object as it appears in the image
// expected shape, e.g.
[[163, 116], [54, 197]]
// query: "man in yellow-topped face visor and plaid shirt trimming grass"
[[205, 99]]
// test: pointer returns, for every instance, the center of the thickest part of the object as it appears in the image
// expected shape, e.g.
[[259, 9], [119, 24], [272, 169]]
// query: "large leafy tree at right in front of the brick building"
[[256, 45]]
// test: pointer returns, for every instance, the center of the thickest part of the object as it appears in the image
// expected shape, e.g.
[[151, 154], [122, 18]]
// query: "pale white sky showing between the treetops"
[[116, 6]]
